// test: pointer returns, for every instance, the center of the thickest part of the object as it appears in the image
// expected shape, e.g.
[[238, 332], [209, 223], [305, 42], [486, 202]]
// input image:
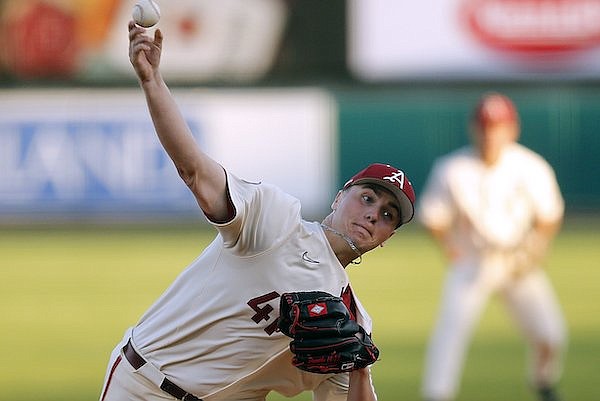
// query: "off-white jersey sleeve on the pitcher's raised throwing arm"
[[264, 215]]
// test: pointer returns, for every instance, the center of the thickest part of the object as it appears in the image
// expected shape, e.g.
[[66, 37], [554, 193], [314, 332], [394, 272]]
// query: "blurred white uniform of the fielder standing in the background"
[[488, 211]]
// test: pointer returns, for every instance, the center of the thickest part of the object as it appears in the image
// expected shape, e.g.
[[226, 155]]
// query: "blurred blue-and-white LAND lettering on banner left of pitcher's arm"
[[70, 161]]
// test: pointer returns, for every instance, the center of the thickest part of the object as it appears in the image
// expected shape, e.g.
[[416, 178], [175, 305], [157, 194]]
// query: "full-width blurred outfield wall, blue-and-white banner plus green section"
[[92, 154]]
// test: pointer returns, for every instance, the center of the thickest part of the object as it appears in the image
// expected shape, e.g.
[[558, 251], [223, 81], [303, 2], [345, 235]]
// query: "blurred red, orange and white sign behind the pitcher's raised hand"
[[205, 40]]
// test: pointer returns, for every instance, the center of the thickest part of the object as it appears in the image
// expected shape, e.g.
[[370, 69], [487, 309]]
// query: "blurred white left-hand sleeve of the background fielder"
[[434, 209]]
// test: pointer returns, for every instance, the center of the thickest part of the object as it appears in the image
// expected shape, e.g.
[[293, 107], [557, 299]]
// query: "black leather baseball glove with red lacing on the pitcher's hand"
[[325, 338]]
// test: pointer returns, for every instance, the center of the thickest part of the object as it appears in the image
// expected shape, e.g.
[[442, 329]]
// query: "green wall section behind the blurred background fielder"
[[409, 127]]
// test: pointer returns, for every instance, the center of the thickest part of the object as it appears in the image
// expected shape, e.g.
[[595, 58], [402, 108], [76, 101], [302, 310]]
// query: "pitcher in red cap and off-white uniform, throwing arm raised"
[[268, 305]]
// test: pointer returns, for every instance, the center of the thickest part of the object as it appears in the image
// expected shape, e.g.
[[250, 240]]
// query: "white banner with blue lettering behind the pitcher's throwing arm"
[[95, 153]]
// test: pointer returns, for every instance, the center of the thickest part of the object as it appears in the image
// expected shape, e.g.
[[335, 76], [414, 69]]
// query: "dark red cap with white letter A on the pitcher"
[[392, 179]]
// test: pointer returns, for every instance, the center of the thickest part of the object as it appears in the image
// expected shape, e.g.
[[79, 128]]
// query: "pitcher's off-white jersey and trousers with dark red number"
[[213, 330]]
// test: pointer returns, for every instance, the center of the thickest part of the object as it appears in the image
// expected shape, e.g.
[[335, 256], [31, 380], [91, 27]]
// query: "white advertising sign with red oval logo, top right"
[[474, 39]]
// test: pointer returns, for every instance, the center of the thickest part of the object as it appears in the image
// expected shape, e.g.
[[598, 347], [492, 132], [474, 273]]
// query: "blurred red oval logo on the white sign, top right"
[[535, 25]]
